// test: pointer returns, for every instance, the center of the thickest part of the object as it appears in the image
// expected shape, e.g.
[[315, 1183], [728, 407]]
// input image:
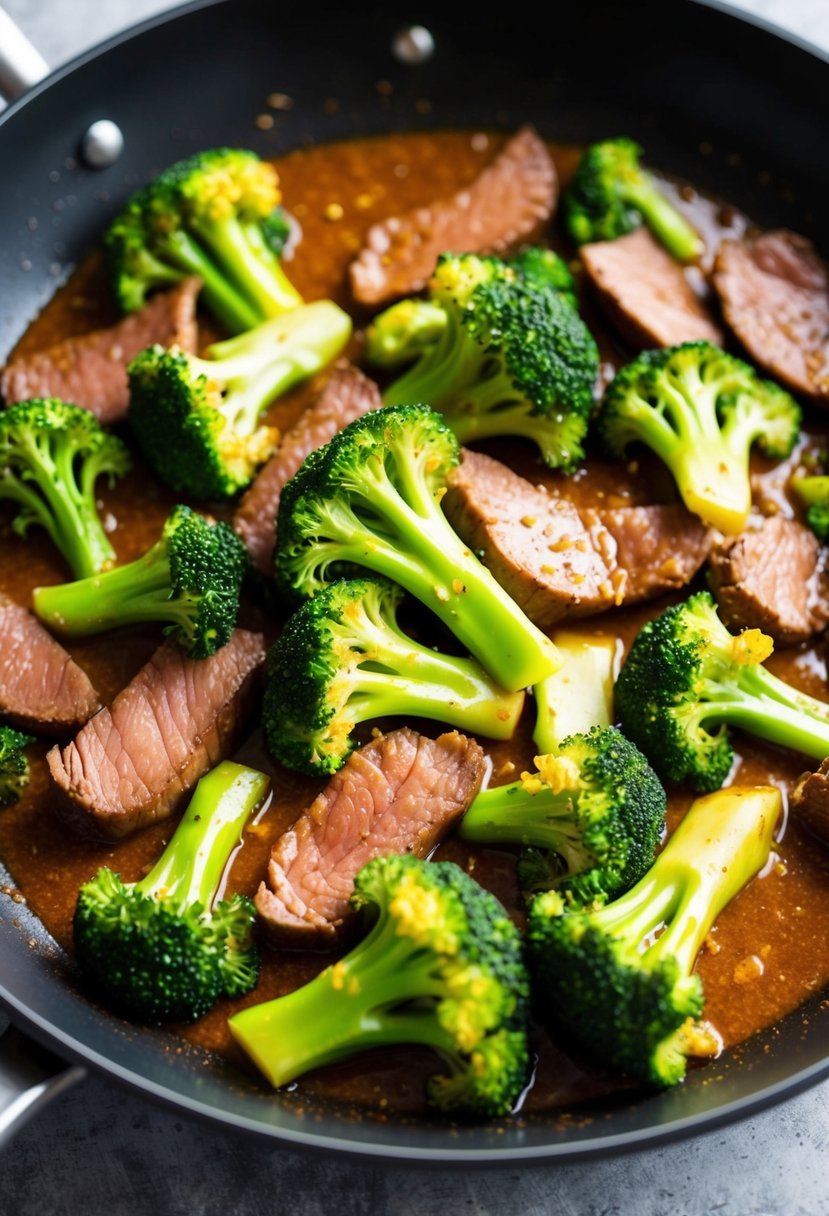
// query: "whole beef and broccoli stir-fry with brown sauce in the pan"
[[414, 609]]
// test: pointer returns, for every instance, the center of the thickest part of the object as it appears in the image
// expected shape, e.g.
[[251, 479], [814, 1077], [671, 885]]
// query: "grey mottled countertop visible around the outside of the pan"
[[100, 1150]]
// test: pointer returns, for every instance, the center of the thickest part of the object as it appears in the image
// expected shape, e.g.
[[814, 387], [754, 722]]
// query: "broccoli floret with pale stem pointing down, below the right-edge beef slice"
[[701, 410]]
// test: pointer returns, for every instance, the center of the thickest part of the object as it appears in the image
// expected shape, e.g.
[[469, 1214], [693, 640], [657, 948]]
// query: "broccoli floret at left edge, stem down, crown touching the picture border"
[[52, 455]]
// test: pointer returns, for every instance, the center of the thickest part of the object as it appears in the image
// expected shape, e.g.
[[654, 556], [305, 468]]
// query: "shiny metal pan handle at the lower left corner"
[[30, 1077]]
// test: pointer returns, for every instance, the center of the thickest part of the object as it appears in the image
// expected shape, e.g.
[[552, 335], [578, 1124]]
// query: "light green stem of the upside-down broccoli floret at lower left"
[[194, 864]]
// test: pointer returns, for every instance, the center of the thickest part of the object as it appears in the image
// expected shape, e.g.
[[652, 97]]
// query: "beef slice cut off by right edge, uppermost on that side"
[[775, 294]]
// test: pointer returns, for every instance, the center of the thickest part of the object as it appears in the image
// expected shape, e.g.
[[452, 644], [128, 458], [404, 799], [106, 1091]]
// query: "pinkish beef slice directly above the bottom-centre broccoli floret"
[[399, 795]]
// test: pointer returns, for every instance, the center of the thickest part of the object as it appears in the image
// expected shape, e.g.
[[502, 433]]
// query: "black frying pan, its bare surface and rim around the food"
[[735, 108]]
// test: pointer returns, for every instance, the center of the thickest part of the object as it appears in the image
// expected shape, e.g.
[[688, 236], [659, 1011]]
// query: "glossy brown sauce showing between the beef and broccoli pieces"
[[770, 950]]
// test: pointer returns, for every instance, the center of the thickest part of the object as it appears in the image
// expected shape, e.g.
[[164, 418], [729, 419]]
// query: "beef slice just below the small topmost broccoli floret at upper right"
[[646, 294]]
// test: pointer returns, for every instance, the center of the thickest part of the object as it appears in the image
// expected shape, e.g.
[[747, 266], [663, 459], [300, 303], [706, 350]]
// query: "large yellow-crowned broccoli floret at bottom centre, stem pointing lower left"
[[442, 967]]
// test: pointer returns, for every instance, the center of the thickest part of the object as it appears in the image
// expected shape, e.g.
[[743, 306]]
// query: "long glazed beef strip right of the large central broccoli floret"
[[559, 562]]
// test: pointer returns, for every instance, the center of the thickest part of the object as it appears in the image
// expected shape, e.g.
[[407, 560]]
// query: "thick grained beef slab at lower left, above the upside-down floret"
[[132, 764]]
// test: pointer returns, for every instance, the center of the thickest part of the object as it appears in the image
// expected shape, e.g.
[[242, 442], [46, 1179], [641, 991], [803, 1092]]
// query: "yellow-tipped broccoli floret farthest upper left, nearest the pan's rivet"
[[217, 216]]
